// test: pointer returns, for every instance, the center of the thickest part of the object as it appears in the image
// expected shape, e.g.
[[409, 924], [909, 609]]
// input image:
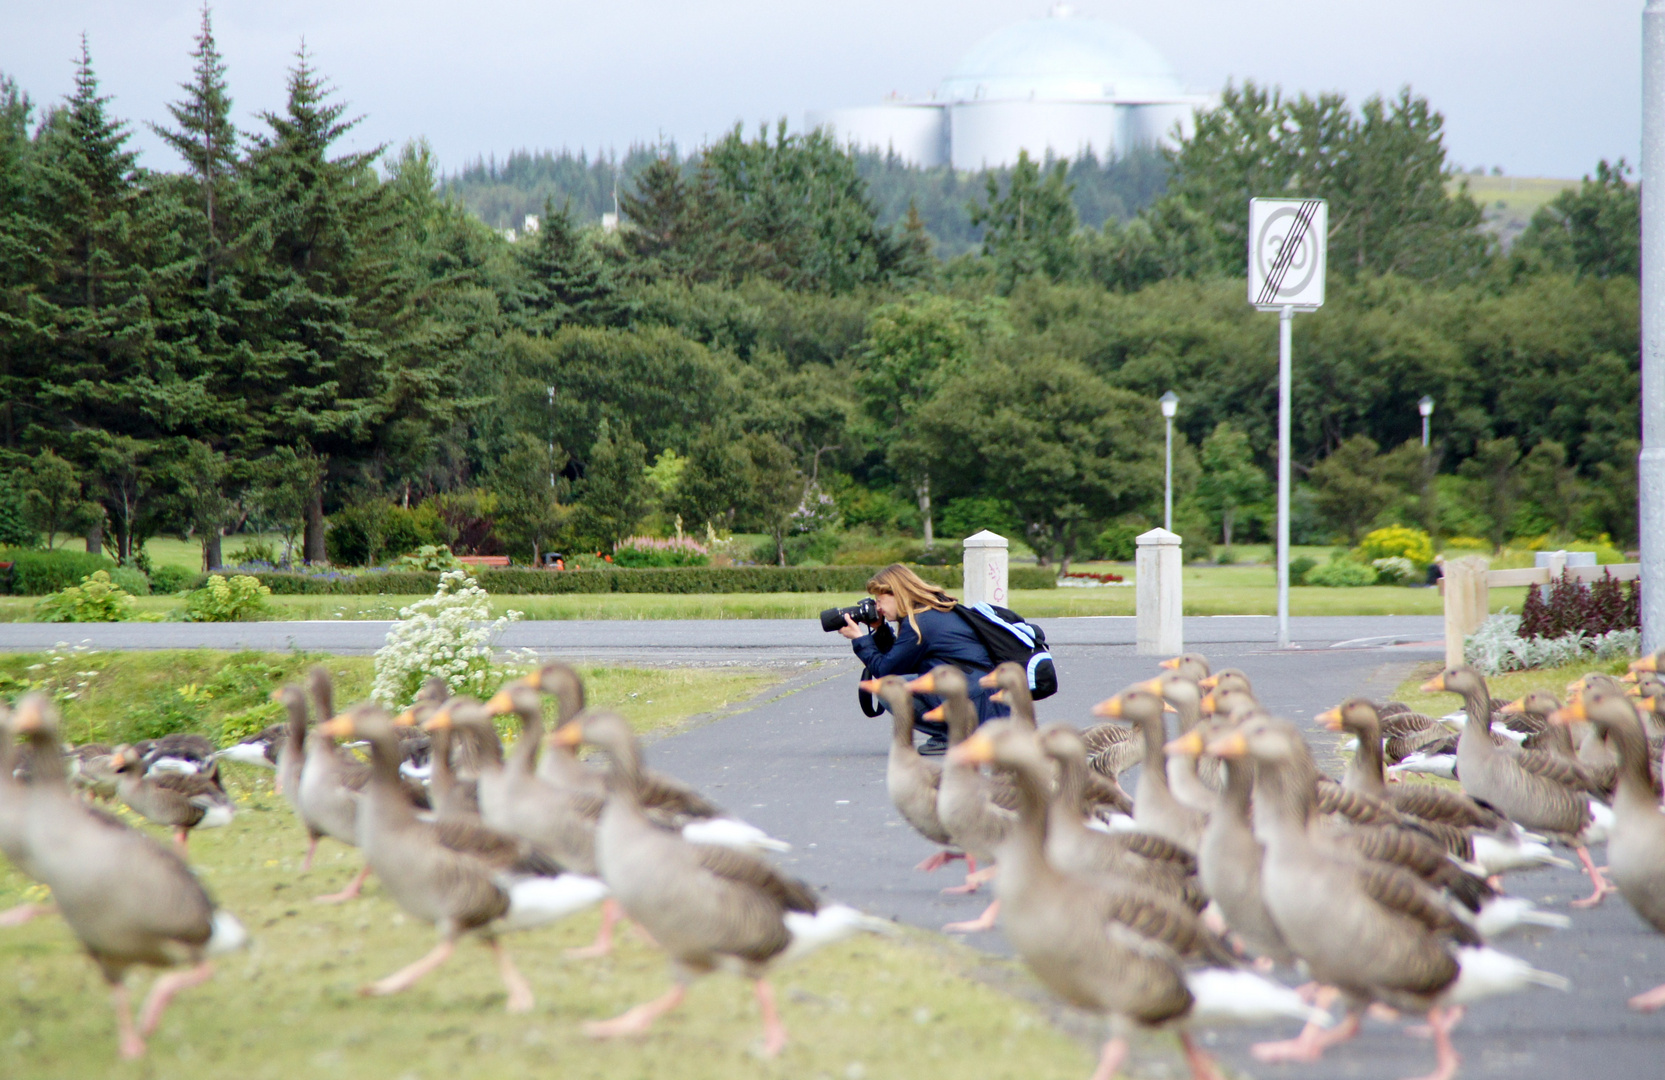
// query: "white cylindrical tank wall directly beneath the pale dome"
[[992, 134]]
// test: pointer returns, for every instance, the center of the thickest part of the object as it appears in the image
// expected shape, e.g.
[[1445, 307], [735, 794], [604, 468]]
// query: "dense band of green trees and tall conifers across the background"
[[282, 335]]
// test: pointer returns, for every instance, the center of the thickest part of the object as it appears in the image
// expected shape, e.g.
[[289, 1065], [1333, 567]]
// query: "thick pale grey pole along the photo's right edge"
[[1651, 468]]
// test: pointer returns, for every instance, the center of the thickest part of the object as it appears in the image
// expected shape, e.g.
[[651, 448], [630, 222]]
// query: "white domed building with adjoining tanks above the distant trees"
[[1058, 86]]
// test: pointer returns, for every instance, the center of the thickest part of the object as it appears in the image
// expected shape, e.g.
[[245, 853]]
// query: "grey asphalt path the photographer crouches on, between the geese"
[[810, 770]]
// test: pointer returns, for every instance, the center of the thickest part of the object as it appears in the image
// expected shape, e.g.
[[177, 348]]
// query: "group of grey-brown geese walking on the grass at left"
[[460, 833]]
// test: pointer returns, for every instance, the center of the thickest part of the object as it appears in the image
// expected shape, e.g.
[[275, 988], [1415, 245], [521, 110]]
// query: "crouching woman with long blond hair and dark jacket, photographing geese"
[[928, 633]]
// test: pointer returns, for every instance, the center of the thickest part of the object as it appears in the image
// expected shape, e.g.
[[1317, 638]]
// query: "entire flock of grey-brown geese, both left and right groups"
[[1166, 909]]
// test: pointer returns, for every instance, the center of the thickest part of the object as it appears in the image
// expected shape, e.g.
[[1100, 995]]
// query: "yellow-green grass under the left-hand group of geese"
[[877, 1008]]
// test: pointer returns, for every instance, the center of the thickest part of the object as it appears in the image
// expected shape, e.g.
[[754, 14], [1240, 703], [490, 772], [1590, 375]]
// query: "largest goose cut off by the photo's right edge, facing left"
[[1636, 848]]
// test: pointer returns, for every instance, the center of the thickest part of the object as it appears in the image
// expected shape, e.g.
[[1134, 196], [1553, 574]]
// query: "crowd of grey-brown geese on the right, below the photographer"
[[1238, 856]]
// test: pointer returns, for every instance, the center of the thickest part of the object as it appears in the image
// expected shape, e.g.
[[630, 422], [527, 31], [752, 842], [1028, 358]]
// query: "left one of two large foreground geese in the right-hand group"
[[1101, 946]]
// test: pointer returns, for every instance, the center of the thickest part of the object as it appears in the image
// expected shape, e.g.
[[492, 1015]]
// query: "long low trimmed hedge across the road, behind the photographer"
[[683, 580]]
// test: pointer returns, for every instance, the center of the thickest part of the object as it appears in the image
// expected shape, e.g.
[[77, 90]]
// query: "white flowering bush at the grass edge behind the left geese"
[[447, 635]]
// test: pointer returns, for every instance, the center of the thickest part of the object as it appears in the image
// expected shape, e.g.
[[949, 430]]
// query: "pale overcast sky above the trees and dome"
[[1539, 87]]
